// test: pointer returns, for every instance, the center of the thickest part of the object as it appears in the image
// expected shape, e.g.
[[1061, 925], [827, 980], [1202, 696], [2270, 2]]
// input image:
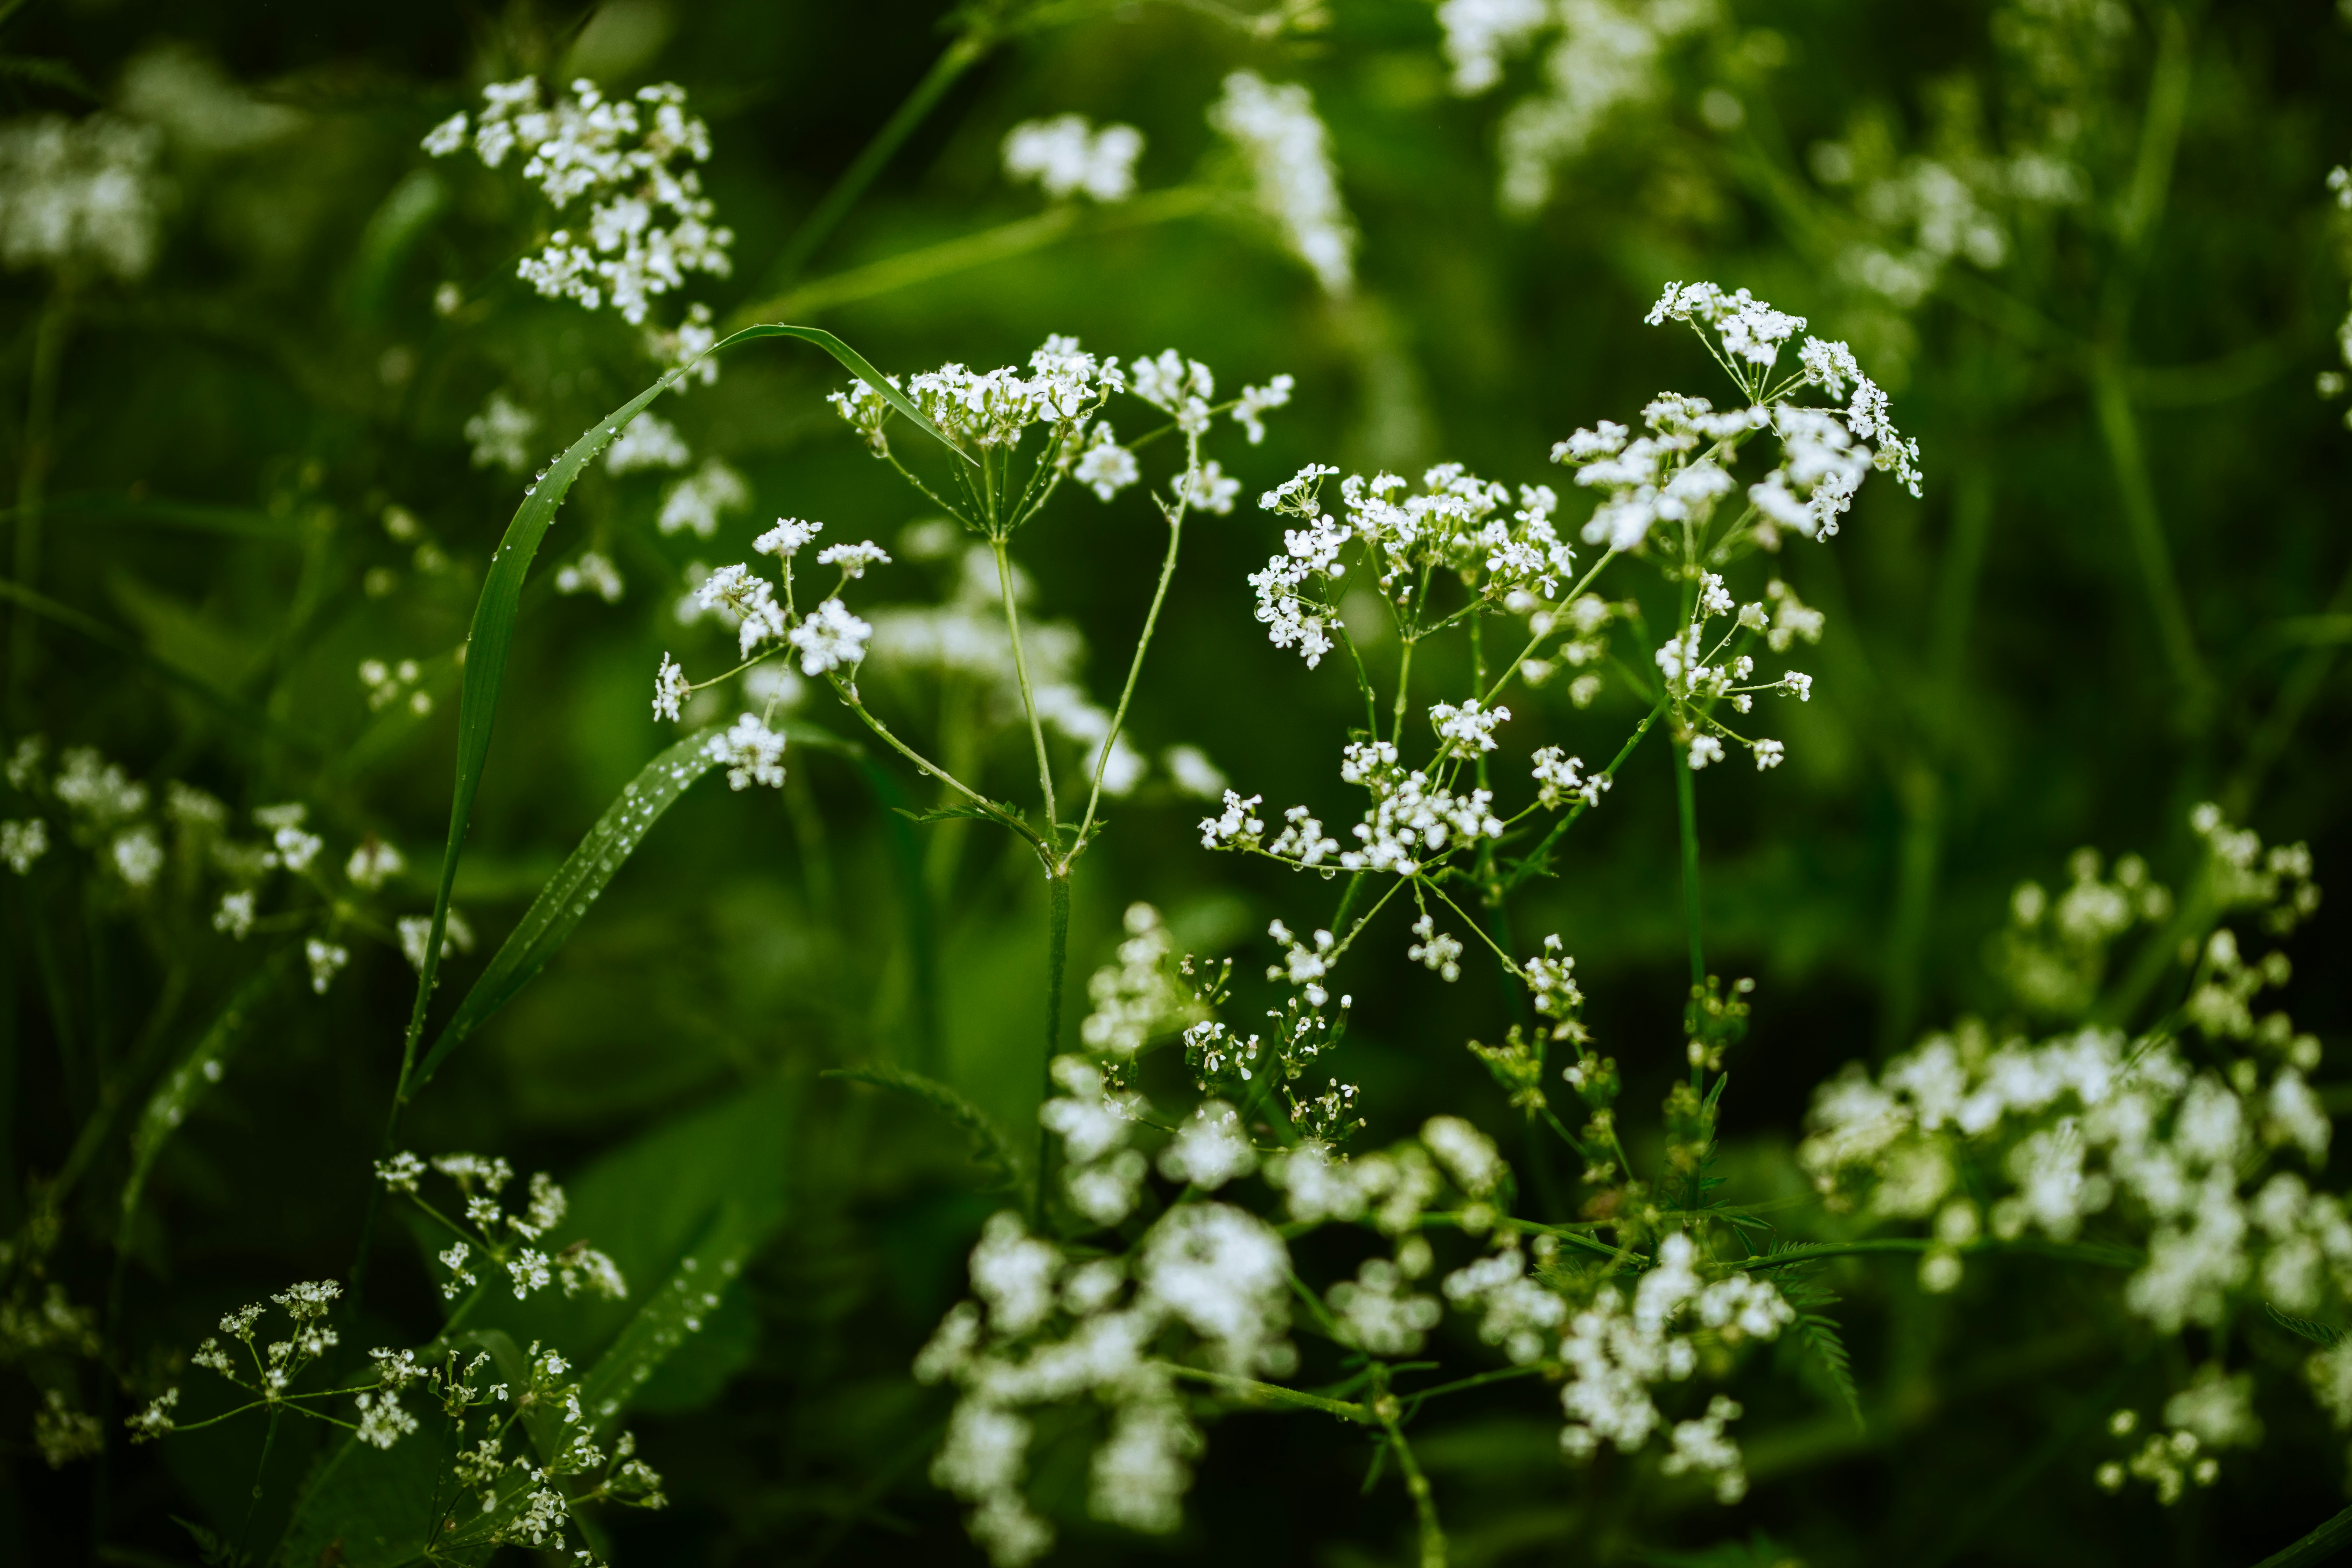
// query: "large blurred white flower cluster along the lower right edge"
[[2177, 1151]]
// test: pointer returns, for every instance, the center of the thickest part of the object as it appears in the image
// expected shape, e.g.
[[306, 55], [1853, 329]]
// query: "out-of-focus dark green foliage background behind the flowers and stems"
[[2123, 596]]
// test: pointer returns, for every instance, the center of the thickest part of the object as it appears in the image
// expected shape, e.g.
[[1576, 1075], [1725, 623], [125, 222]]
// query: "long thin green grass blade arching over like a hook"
[[493, 636]]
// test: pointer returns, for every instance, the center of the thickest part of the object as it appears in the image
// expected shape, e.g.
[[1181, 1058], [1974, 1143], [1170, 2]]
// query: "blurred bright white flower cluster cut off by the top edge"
[[1608, 58]]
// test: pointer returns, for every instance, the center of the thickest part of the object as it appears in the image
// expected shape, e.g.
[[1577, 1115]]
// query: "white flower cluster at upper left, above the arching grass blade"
[[632, 161]]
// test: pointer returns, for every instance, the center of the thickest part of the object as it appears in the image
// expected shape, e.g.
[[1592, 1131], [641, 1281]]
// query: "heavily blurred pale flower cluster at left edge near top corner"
[[79, 196]]
